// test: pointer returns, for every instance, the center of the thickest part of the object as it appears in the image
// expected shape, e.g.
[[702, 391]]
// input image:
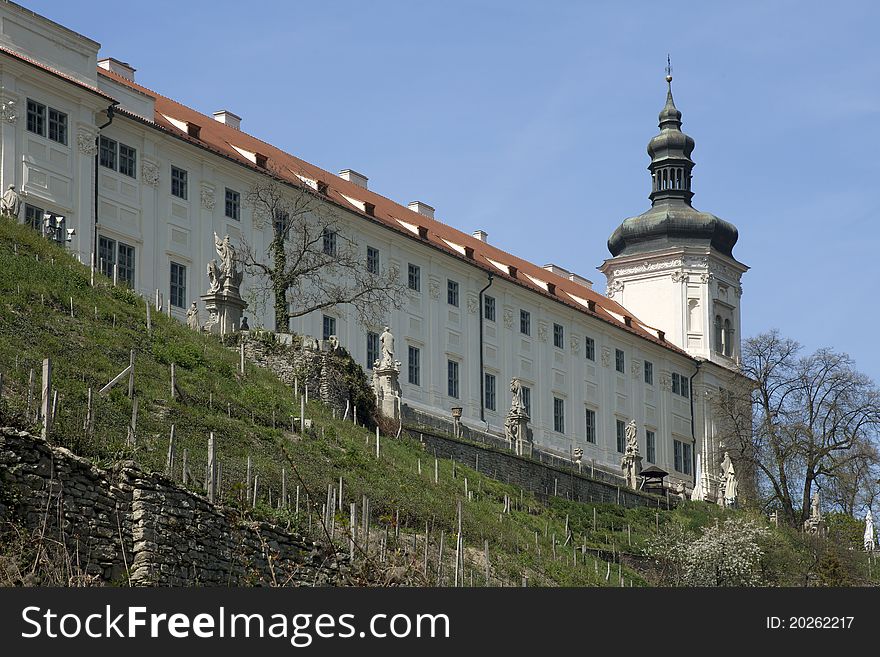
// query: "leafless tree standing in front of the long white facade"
[[310, 263]]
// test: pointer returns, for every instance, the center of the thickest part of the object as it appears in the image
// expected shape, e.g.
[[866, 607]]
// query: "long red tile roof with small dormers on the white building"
[[220, 138]]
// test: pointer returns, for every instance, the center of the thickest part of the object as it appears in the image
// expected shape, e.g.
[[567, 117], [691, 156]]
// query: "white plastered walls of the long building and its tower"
[[679, 292]]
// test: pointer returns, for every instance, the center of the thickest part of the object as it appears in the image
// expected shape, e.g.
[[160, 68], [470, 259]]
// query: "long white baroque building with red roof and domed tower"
[[145, 182]]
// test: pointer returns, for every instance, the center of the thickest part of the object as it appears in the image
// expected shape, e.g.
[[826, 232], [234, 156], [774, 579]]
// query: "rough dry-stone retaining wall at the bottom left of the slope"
[[123, 524]]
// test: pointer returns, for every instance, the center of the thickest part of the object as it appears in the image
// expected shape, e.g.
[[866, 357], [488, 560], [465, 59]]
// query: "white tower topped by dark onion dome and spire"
[[673, 265]]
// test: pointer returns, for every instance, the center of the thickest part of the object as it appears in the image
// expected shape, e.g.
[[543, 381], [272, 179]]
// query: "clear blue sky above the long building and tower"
[[530, 121]]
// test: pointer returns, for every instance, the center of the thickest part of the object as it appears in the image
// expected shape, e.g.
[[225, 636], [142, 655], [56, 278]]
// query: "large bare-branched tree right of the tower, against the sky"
[[801, 422]]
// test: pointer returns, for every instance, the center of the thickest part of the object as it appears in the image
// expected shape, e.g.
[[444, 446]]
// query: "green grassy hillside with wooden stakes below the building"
[[38, 282]]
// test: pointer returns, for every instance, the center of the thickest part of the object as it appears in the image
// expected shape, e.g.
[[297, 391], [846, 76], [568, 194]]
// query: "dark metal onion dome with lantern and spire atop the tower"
[[672, 220]]
